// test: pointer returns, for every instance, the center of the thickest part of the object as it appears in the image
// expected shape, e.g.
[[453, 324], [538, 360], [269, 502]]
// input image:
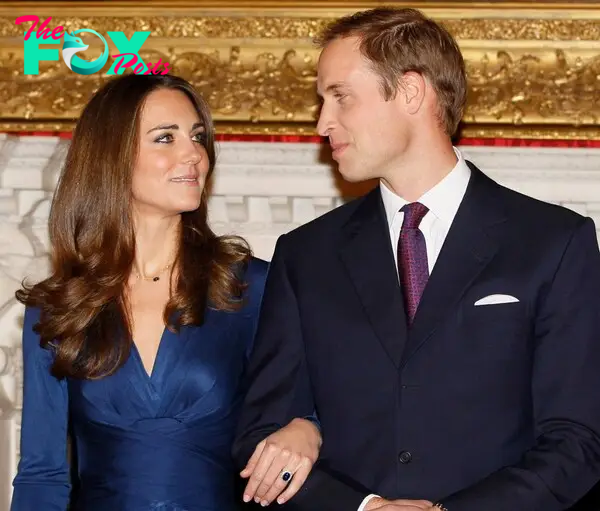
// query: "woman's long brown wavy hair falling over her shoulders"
[[84, 316]]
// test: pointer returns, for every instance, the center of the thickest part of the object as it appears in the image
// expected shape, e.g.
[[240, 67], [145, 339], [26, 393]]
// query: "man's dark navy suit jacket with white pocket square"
[[484, 408]]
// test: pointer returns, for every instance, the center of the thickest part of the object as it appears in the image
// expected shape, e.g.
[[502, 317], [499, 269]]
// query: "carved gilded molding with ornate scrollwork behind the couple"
[[533, 69]]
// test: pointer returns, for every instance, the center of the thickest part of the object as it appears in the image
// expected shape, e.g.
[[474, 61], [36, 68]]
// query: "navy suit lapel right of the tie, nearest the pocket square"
[[469, 246]]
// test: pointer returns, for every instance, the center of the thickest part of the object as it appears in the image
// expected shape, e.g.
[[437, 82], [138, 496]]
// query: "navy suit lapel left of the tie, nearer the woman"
[[367, 255]]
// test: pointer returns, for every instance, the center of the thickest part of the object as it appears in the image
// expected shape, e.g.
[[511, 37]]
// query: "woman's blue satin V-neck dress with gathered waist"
[[144, 443]]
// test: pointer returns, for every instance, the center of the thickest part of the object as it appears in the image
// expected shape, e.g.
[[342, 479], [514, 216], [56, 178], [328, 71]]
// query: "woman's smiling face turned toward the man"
[[172, 163]]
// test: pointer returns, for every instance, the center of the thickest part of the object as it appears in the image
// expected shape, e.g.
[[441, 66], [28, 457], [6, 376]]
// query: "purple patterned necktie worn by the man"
[[412, 257]]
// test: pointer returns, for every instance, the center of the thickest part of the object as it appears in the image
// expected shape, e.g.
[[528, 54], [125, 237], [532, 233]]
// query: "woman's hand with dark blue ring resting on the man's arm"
[[282, 461]]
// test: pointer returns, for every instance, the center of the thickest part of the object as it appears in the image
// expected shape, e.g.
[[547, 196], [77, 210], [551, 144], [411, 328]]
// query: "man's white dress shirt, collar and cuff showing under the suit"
[[442, 201]]
